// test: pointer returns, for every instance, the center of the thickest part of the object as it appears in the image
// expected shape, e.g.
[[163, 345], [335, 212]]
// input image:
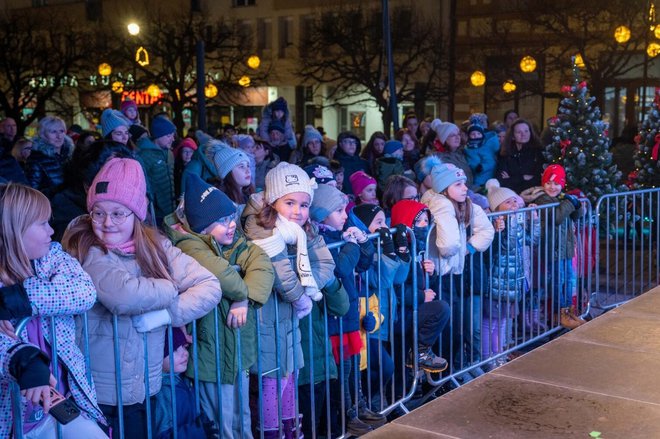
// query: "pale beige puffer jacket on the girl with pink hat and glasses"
[[124, 292]]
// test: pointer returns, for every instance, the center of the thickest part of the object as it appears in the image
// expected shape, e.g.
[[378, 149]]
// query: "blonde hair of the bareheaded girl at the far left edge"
[[20, 207]]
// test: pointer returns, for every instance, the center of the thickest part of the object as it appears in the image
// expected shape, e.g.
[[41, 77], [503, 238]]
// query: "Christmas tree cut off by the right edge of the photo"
[[647, 166]]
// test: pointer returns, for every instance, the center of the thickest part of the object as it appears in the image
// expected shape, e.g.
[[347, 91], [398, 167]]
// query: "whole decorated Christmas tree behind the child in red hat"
[[580, 143]]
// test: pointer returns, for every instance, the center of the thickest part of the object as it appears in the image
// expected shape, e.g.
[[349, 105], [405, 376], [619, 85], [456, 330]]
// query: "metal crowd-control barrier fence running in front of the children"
[[302, 378]]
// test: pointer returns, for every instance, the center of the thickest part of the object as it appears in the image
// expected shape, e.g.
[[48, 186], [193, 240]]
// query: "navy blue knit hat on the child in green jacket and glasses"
[[204, 204]]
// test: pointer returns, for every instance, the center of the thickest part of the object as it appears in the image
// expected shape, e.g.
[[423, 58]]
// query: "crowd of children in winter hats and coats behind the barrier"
[[256, 302]]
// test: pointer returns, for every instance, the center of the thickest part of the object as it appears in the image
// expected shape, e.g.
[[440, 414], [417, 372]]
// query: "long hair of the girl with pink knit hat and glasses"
[[150, 255]]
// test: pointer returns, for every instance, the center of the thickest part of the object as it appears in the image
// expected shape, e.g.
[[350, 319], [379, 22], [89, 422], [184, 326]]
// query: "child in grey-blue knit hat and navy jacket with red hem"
[[354, 257]]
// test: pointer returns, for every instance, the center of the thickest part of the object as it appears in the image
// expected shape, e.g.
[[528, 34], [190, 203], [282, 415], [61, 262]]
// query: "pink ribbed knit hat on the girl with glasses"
[[121, 181]]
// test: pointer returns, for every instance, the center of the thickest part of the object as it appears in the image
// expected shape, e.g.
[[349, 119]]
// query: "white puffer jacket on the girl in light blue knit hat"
[[451, 238]]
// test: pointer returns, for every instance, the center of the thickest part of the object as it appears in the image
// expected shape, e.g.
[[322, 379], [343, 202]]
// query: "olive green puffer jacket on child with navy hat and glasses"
[[252, 281]]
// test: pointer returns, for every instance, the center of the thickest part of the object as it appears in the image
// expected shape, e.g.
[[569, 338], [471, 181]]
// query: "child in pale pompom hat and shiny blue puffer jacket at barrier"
[[507, 275]]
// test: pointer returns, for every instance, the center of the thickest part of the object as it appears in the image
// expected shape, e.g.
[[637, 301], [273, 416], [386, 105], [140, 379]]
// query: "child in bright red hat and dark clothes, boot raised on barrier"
[[432, 313]]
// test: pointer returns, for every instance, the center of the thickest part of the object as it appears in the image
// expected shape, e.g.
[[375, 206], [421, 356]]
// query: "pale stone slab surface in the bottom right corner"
[[600, 380]]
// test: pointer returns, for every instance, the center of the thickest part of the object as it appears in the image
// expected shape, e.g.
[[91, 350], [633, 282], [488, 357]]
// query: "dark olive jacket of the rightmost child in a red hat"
[[559, 238]]
